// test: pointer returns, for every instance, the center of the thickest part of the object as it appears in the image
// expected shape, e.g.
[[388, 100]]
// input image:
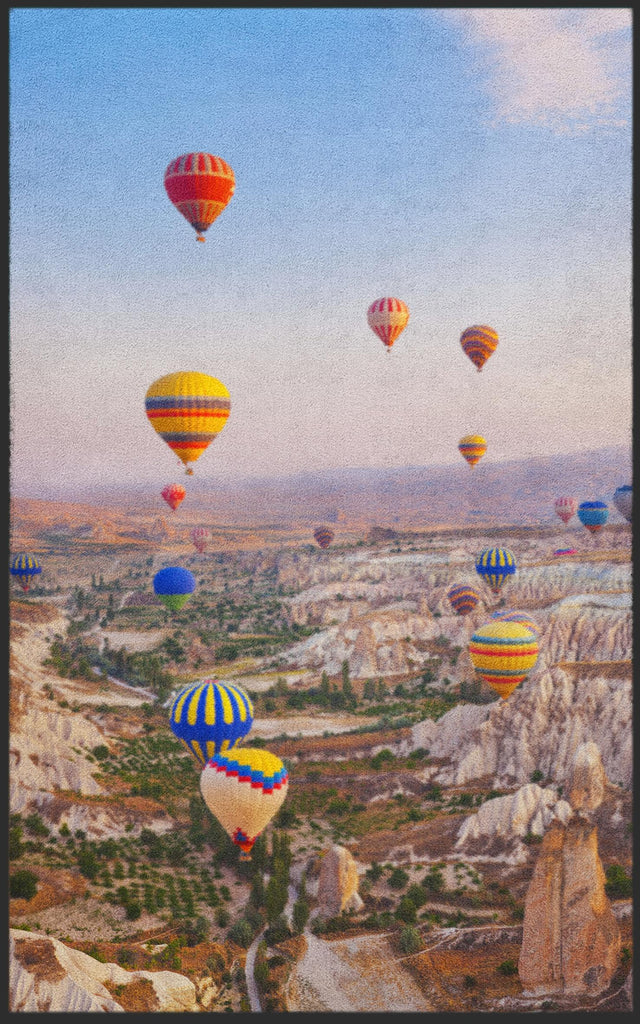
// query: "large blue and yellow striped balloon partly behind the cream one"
[[211, 717]]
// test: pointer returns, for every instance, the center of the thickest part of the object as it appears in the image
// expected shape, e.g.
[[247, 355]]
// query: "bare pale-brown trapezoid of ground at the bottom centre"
[[357, 975]]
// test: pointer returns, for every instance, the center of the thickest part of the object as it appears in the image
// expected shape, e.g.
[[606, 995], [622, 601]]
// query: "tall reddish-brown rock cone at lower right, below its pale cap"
[[571, 938]]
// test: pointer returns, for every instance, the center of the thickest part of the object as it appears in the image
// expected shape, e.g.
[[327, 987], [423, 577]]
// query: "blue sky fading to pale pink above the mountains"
[[474, 162]]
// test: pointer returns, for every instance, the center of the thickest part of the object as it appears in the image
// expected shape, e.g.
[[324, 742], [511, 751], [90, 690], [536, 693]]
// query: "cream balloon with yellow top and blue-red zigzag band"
[[244, 789]]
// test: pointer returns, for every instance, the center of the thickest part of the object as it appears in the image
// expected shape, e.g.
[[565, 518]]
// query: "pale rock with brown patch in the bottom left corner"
[[48, 976]]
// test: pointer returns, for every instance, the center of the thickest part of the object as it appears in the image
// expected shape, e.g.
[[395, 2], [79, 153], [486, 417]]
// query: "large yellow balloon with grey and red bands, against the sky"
[[188, 410]]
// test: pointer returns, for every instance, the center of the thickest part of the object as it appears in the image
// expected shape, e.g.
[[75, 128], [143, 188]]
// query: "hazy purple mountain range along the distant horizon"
[[521, 491]]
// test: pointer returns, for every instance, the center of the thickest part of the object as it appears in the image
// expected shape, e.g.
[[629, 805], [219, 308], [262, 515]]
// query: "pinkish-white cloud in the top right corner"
[[566, 69]]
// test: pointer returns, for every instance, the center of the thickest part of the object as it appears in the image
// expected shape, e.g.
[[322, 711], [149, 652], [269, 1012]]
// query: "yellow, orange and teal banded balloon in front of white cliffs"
[[503, 654]]
